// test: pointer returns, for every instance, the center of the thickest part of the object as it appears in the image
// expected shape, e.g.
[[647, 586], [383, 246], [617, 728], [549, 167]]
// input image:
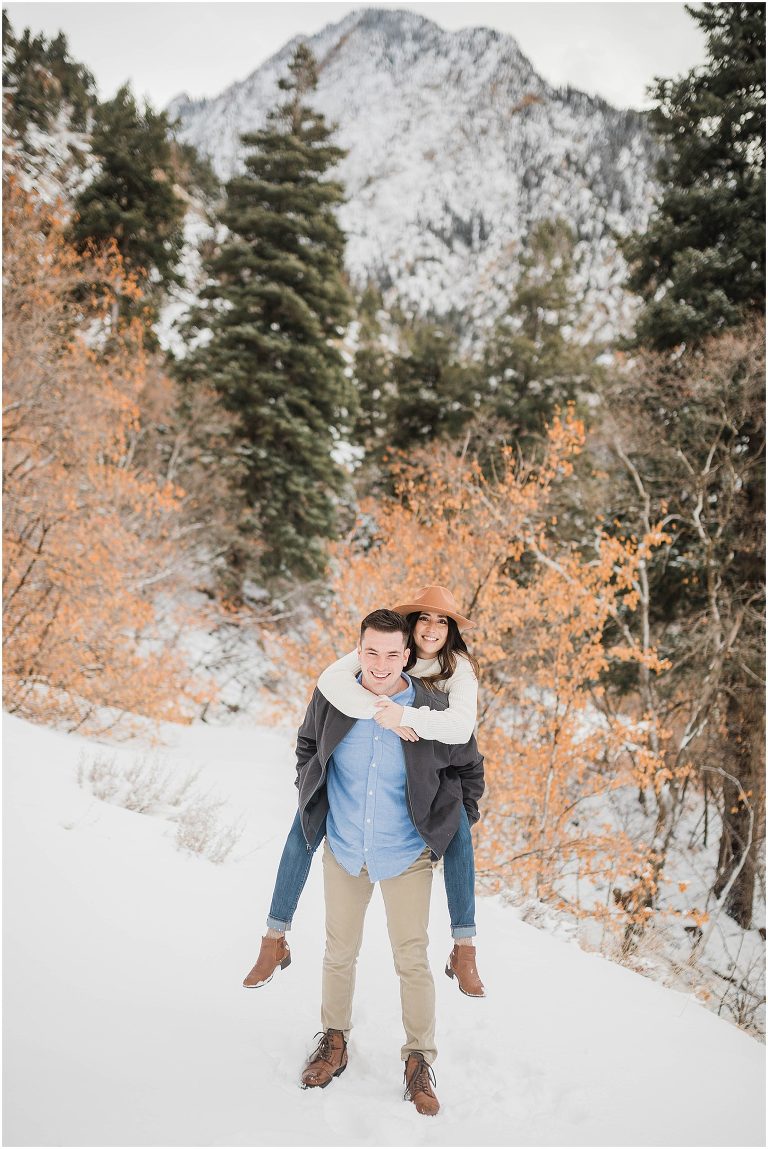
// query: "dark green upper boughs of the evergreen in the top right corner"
[[701, 267]]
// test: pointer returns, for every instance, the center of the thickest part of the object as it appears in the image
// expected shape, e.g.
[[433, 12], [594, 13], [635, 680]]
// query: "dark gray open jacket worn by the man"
[[440, 778]]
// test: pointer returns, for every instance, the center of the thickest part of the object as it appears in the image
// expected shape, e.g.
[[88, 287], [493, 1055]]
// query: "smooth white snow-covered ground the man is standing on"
[[126, 1023]]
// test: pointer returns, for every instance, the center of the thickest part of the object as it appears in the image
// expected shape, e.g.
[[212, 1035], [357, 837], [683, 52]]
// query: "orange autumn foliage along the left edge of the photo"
[[88, 539]]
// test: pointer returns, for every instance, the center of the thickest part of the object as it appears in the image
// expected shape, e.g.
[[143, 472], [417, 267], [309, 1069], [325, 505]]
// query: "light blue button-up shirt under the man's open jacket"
[[368, 821]]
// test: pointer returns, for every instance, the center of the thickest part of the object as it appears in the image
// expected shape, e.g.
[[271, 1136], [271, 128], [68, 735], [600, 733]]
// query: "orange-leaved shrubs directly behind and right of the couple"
[[558, 762]]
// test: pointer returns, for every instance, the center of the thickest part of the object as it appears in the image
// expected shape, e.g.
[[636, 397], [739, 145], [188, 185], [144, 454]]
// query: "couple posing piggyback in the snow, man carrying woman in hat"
[[390, 775]]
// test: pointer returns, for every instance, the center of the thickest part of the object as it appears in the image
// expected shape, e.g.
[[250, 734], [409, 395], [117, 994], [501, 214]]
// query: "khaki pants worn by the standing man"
[[406, 901]]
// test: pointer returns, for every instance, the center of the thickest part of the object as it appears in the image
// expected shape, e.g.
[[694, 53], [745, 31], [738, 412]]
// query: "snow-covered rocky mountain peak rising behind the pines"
[[457, 146]]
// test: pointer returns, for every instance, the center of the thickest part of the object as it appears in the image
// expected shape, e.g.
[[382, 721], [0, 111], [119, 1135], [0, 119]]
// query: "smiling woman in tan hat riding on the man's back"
[[440, 658]]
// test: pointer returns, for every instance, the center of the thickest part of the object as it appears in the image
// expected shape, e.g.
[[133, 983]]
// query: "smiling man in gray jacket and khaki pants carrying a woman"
[[393, 808]]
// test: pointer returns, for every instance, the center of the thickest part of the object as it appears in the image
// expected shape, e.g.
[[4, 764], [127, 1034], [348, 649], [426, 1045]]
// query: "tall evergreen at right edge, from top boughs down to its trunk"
[[701, 271]]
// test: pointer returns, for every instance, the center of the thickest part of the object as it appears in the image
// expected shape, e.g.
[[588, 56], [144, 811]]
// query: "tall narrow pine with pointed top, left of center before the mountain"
[[277, 306]]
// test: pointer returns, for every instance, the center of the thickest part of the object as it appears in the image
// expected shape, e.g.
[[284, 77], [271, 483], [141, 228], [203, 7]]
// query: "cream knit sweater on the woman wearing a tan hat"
[[454, 727]]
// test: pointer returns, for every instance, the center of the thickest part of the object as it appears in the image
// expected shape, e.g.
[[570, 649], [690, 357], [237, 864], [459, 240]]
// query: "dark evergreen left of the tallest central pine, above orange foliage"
[[133, 201]]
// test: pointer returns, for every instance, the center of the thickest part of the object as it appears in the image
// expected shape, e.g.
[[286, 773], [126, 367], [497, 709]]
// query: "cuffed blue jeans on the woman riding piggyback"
[[458, 870]]
